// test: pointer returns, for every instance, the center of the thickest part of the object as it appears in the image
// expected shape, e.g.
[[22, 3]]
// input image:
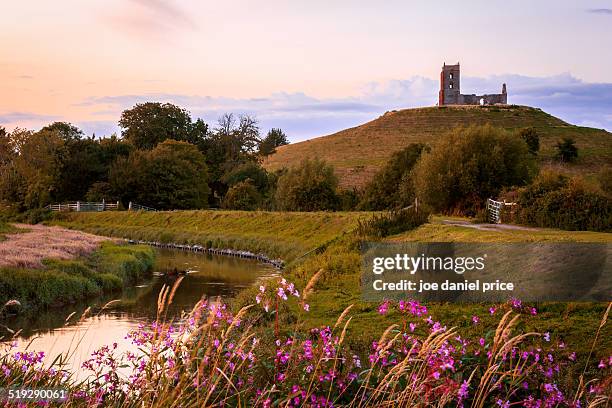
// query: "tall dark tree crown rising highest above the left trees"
[[148, 124]]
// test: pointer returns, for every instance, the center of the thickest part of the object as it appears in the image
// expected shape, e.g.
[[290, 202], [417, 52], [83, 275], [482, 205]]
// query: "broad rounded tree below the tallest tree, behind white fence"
[[171, 176]]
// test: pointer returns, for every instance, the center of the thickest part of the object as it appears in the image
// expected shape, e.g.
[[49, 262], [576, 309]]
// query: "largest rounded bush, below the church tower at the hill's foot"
[[469, 165]]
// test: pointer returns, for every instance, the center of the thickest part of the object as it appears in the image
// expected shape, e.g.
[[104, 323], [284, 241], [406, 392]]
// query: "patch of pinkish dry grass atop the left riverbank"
[[28, 249]]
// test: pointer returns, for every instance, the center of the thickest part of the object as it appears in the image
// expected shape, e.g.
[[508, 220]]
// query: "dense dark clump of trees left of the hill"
[[162, 159]]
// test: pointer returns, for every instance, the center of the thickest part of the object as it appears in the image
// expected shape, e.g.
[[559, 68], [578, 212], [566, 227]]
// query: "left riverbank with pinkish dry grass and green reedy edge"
[[50, 267]]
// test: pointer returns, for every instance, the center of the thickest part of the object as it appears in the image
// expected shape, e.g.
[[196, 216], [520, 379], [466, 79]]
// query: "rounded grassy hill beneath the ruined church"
[[357, 153]]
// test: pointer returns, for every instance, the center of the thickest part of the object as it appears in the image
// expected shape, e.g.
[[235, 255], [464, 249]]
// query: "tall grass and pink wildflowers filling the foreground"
[[216, 357]]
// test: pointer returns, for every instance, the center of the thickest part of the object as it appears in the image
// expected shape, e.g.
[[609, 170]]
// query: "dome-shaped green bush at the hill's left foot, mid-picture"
[[311, 186]]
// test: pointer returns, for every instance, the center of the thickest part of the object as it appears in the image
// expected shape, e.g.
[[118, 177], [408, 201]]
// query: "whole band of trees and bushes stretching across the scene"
[[166, 160]]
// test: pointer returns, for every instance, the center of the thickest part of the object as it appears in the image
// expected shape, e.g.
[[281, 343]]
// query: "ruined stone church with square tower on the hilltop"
[[450, 91]]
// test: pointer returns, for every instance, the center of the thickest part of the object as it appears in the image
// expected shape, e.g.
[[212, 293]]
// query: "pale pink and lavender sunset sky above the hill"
[[310, 67]]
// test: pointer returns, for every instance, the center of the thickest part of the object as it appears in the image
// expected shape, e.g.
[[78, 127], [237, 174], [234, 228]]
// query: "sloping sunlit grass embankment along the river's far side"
[[277, 234]]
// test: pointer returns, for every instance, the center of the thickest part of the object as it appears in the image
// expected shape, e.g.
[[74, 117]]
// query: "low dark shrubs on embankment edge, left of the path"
[[393, 222]]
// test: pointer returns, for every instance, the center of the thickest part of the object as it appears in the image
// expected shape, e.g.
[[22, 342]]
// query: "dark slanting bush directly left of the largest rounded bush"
[[392, 186]]
